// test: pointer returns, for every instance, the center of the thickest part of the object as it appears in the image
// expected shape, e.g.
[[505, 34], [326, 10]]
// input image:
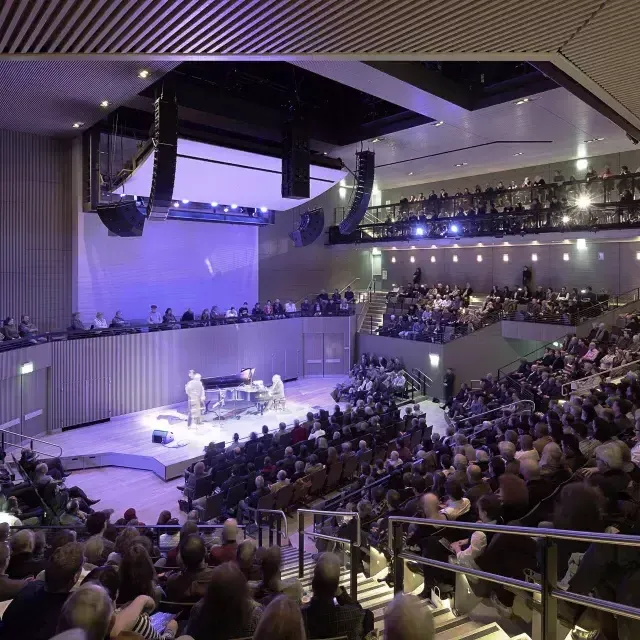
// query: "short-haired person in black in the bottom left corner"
[[35, 610]]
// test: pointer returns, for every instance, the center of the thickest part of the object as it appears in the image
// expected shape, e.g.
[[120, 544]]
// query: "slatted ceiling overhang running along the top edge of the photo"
[[598, 37]]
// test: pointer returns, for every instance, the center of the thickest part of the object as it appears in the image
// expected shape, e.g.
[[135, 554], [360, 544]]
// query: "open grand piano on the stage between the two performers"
[[238, 389]]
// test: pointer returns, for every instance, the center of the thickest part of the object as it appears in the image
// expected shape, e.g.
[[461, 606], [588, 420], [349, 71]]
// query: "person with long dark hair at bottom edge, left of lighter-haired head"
[[227, 592]]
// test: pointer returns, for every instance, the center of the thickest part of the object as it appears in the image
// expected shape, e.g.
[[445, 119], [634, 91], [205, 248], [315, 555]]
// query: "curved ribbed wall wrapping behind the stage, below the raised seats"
[[84, 380]]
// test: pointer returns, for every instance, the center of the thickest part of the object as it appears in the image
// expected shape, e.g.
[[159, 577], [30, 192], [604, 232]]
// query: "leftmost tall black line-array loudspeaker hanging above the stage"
[[165, 143]]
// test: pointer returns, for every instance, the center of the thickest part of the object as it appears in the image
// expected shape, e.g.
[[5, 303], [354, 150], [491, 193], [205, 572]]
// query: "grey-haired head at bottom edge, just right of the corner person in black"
[[89, 608]]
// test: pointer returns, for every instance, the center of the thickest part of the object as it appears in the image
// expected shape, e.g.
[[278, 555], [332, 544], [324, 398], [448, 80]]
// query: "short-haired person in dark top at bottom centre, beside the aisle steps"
[[323, 618]]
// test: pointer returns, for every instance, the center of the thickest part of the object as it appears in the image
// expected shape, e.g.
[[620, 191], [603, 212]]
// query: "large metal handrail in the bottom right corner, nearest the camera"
[[548, 589]]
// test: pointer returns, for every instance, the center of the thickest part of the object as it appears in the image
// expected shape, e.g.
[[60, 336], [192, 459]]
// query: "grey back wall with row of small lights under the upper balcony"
[[612, 266]]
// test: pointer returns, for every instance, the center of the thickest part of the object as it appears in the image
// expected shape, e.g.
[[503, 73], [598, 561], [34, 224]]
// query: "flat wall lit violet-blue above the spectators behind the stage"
[[175, 263]]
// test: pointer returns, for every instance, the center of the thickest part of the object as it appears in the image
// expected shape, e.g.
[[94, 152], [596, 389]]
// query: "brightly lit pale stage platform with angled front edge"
[[125, 441]]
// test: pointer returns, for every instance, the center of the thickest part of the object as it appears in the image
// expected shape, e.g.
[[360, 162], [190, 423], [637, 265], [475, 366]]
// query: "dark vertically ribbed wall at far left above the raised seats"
[[35, 228]]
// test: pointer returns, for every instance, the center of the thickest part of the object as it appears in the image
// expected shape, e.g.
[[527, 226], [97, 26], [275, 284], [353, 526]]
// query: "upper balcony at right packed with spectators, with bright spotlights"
[[594, 205]]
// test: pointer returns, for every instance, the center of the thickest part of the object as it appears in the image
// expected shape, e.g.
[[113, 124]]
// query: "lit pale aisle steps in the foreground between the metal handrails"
[[375, 595]]
